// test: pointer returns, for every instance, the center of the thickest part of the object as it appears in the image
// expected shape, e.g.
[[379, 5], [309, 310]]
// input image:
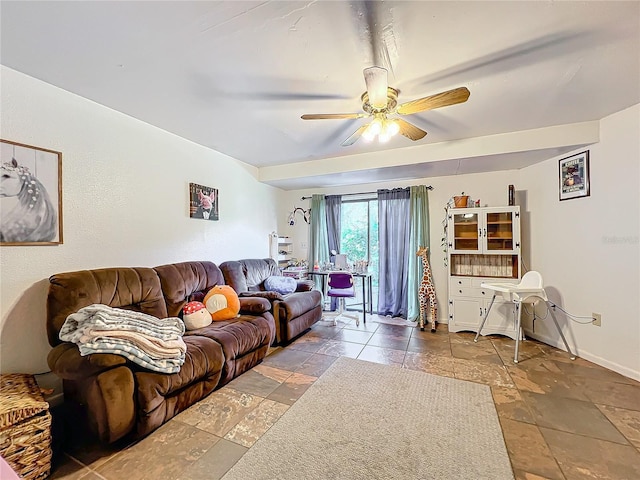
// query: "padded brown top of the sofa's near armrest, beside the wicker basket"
[[67, 363]]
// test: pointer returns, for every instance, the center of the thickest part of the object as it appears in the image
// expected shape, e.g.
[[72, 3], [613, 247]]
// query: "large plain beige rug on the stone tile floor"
[[363, 420]]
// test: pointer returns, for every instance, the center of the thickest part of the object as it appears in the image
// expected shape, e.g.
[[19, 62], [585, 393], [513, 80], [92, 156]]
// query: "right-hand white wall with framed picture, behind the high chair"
[[588, 249]]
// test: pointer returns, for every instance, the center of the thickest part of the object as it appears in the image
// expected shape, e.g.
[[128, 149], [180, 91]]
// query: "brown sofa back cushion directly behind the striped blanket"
[[135, 289]]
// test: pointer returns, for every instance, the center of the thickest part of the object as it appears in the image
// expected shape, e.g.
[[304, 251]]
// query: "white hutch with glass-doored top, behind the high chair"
[[483, 245]]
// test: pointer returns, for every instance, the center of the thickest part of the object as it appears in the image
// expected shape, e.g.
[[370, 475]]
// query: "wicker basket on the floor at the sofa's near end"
[[25, 426]]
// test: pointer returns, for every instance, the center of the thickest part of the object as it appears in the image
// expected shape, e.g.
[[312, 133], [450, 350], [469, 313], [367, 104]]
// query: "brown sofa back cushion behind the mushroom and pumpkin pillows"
[[186, 281]]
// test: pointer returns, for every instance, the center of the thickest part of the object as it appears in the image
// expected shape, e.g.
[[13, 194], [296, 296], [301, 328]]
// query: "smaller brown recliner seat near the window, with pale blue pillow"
[[294, 313]]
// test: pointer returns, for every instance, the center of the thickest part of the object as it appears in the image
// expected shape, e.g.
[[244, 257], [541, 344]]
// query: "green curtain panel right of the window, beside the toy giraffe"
[[418, 237]]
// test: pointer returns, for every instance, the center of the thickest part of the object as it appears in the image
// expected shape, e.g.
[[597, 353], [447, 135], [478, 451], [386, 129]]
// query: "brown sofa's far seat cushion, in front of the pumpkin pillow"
[[238, 337]]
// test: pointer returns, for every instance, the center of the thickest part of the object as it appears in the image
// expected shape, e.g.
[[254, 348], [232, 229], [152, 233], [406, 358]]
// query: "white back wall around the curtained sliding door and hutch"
[[490, 188]]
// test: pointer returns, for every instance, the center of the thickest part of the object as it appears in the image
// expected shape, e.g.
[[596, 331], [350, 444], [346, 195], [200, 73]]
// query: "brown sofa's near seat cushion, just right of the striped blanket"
[[204, 359]]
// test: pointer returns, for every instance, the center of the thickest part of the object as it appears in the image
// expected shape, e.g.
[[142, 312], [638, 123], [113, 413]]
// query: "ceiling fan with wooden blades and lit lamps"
[[380, 101]]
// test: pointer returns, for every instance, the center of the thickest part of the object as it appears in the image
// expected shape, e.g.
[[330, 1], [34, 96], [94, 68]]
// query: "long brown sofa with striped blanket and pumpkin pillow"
[[124, 399]]
